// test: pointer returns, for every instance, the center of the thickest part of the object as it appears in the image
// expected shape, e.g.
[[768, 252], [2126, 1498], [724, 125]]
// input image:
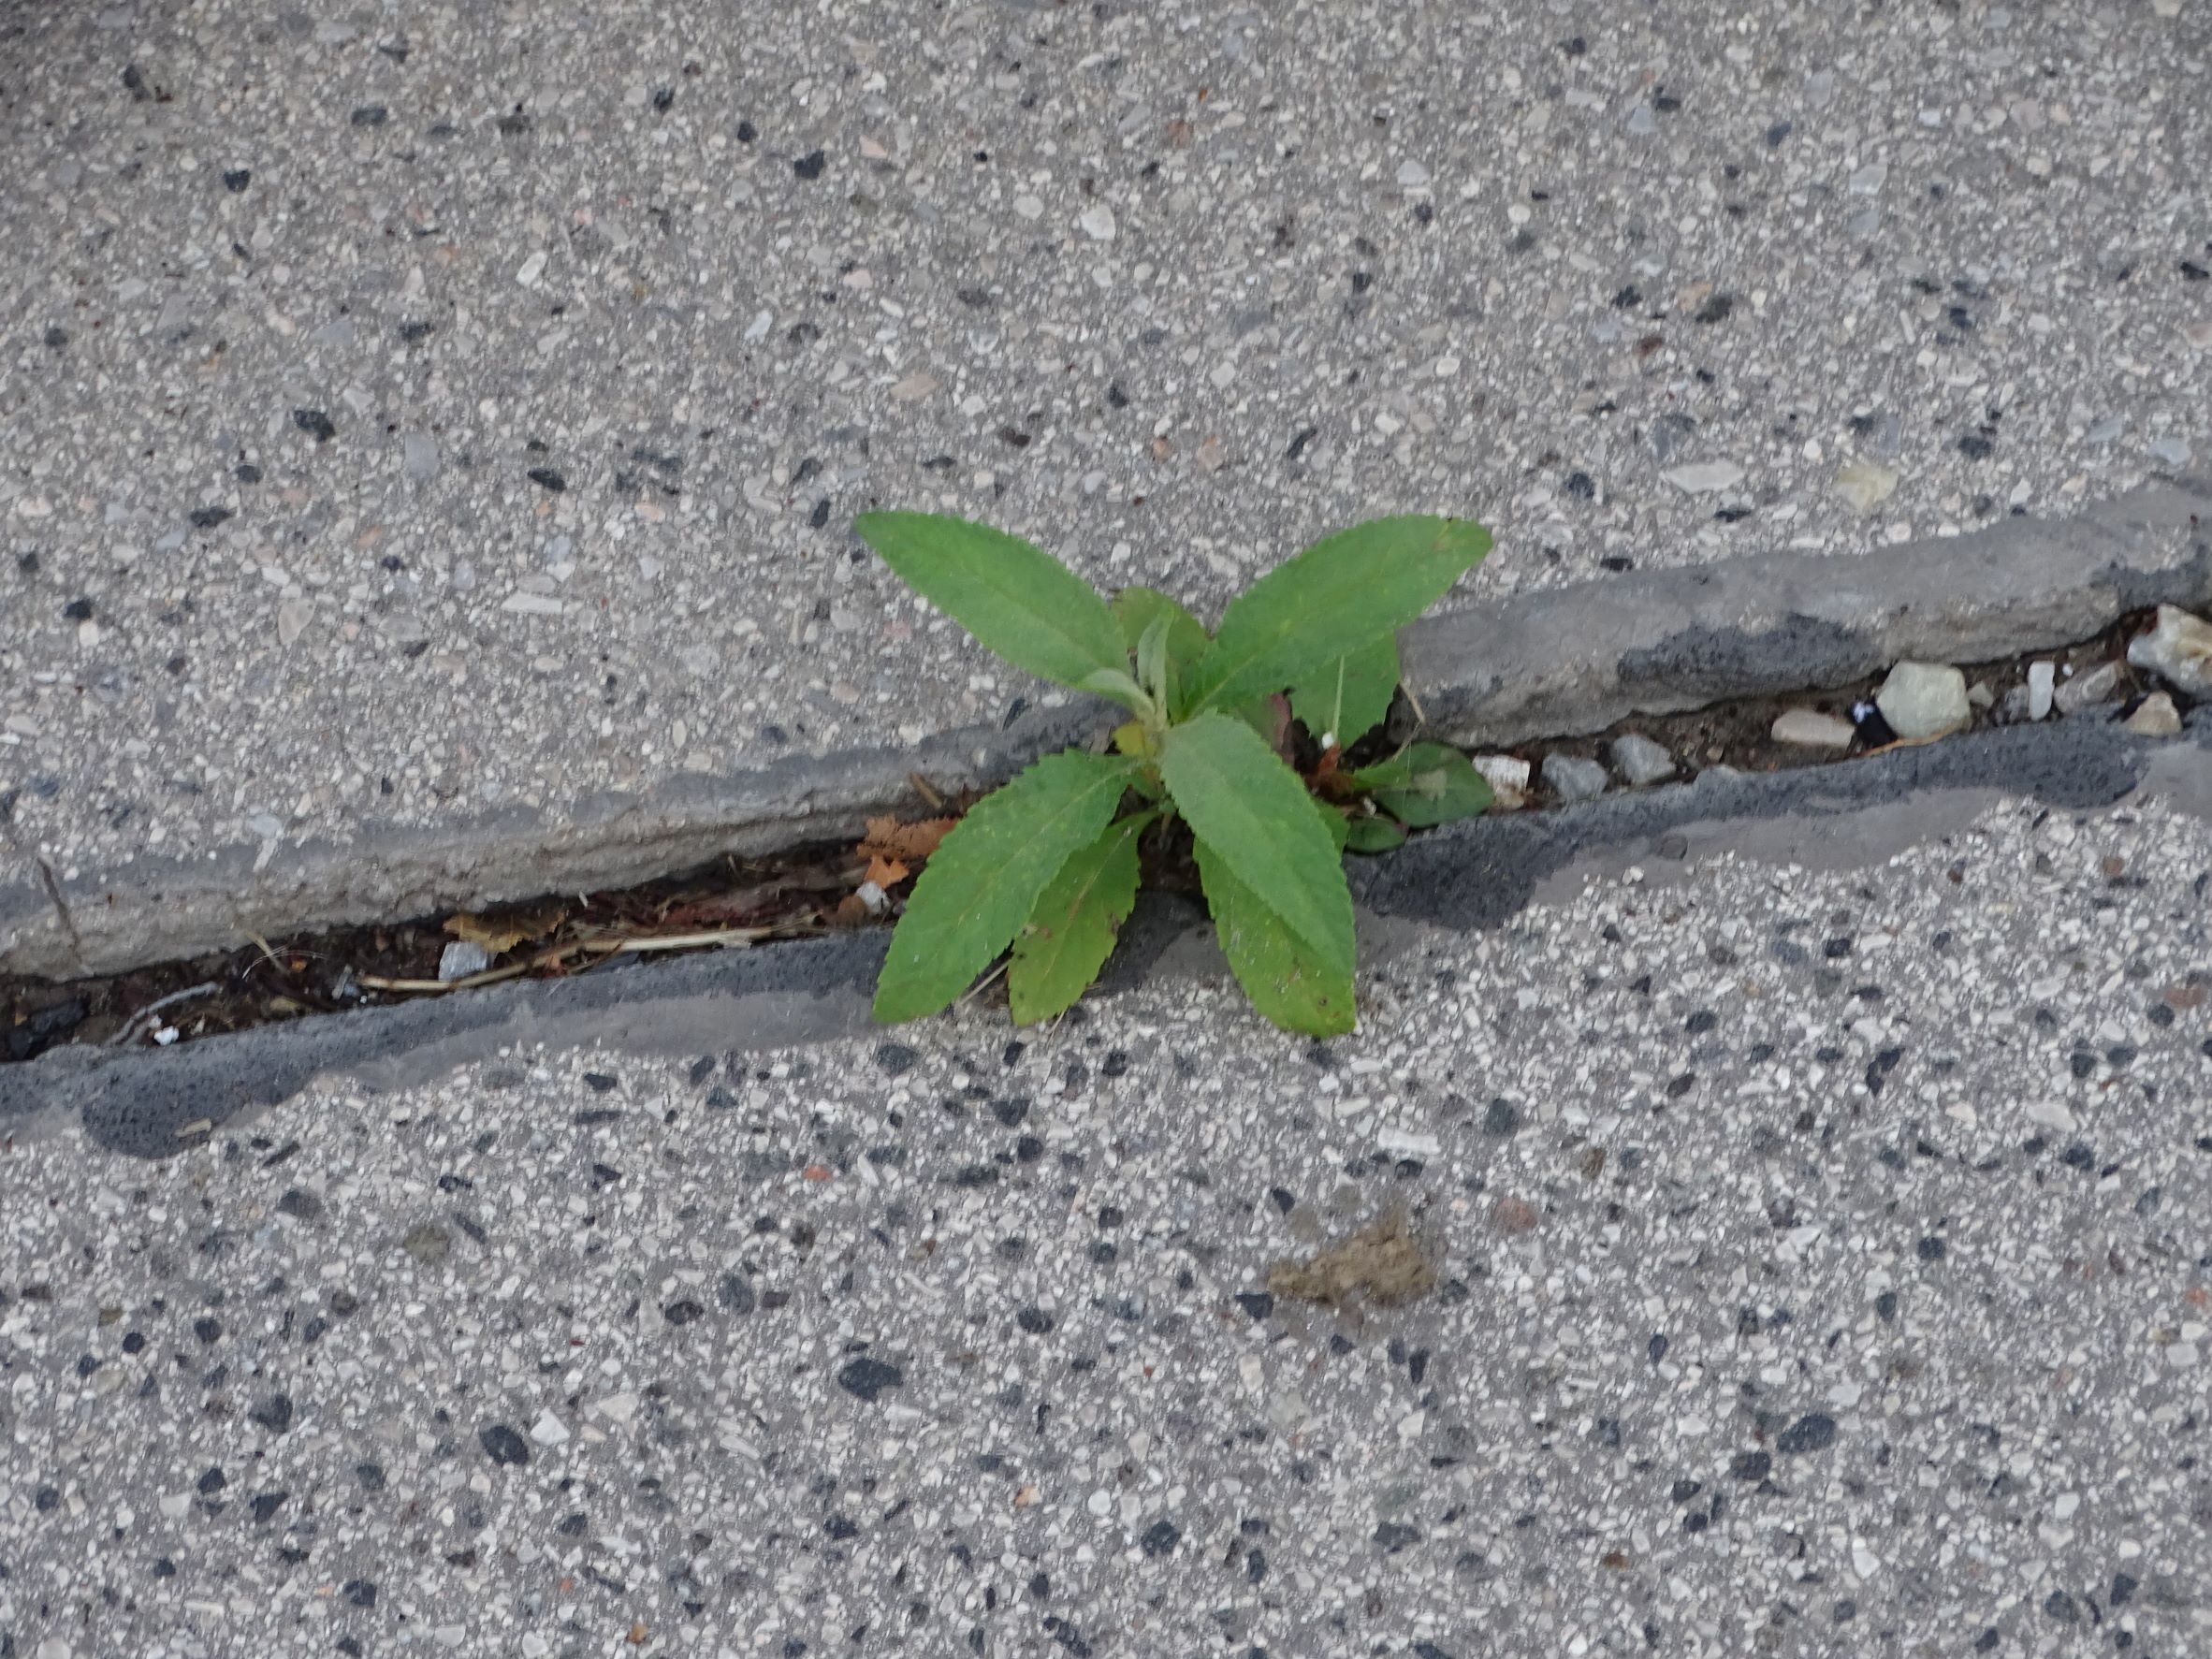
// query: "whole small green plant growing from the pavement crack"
[[1047, 866]]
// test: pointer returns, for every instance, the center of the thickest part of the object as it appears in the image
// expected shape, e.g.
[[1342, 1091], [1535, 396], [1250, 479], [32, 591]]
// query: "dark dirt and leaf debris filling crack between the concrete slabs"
[[804, 895]]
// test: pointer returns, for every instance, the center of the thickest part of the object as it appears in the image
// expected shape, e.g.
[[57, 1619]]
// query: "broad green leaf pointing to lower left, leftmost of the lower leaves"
[[985, 877]]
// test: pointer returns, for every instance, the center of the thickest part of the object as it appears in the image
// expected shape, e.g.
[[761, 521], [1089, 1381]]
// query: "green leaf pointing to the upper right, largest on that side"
[[1333, 598]]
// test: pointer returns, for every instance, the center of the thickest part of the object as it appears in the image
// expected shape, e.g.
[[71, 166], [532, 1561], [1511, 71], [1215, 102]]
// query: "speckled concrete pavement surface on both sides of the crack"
[[459, 410]]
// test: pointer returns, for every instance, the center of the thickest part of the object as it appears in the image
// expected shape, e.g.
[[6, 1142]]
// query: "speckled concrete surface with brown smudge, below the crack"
[[1822, 1266]]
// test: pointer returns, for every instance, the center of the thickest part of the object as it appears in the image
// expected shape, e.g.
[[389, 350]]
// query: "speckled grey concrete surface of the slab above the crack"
[[426, 413]]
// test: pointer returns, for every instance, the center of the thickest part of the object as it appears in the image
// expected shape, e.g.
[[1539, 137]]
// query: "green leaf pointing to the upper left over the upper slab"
[[1014, 598]]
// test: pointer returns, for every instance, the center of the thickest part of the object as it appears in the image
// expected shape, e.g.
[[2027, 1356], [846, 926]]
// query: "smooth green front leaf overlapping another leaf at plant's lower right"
[[1255, 813]]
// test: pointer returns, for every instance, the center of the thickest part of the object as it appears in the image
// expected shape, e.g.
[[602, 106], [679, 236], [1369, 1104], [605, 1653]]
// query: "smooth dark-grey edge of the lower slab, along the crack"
[[1470, 877]]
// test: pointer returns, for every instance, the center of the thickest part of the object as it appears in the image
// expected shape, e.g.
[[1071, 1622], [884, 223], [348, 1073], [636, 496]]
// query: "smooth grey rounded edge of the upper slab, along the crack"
[[1543, 665]]
